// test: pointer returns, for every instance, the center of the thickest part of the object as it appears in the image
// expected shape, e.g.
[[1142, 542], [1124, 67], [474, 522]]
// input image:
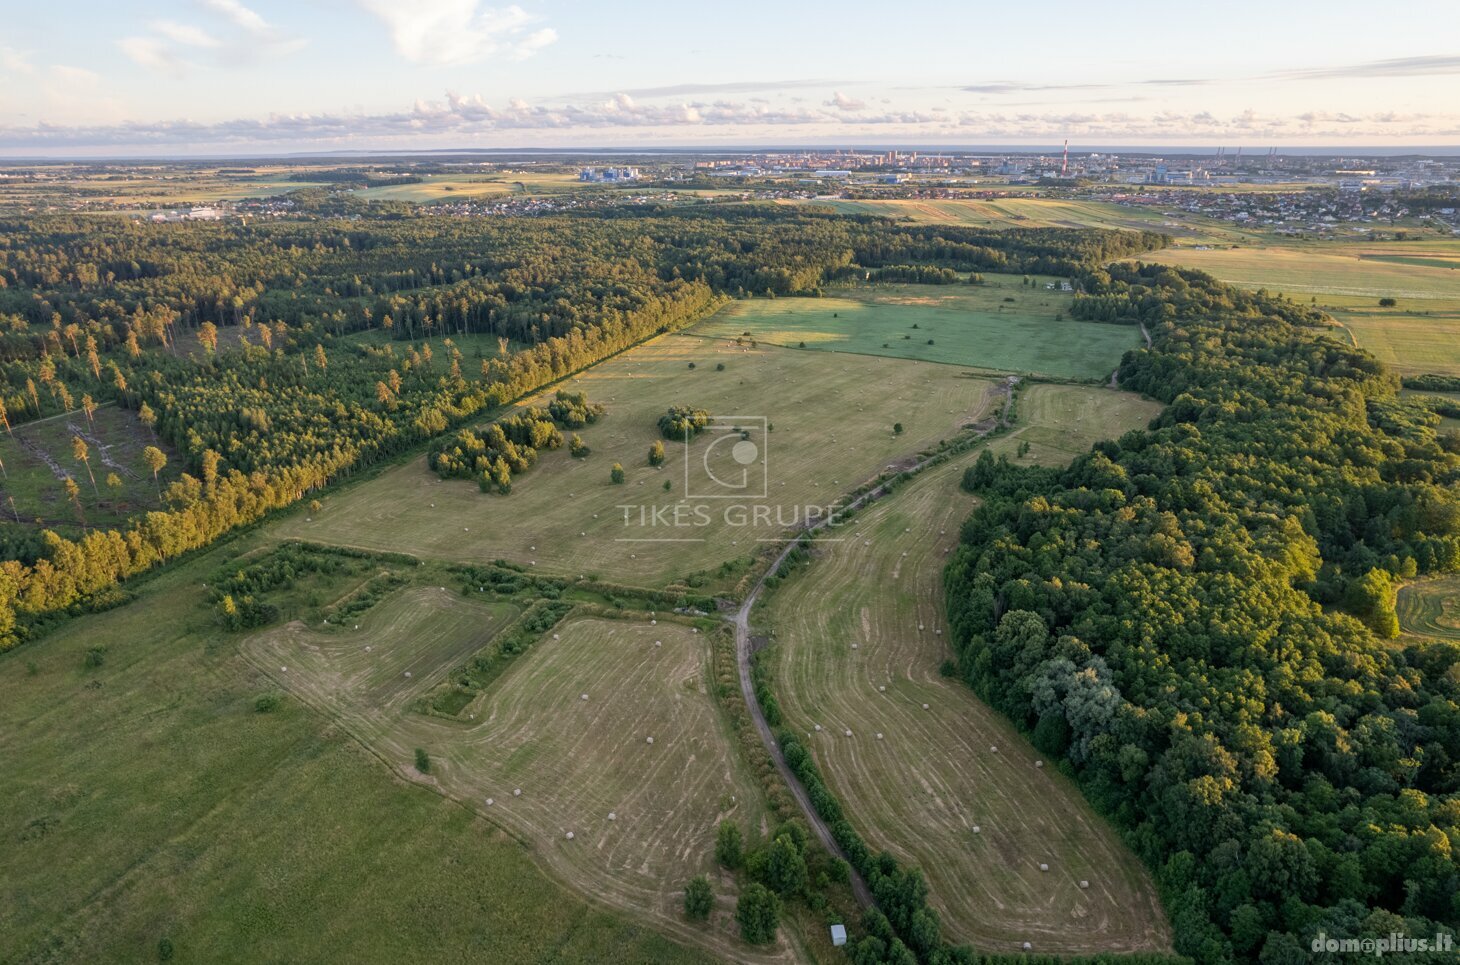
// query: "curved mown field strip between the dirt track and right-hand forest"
[[861, 637]]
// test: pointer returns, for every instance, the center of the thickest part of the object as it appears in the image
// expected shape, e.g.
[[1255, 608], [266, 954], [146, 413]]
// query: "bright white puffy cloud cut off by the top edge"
[[443, 33]]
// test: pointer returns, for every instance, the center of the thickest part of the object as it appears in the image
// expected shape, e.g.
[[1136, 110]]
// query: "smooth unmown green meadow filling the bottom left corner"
[[147, 799]]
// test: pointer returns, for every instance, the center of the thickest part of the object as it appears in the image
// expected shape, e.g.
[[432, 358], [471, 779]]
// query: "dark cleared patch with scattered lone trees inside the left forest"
[[39, 455]]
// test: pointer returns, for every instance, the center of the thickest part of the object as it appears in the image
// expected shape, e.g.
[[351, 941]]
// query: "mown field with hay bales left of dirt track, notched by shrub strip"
[[640, 773]]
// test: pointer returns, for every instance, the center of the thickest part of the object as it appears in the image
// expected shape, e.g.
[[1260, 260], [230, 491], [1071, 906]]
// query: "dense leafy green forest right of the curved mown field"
[[1199, 618]]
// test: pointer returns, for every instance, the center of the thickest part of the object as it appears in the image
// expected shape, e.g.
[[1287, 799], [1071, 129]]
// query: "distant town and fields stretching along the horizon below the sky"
[[1287, 193]]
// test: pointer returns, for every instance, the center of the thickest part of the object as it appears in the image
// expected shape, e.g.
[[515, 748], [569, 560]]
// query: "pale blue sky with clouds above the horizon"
[[278, 77]]
